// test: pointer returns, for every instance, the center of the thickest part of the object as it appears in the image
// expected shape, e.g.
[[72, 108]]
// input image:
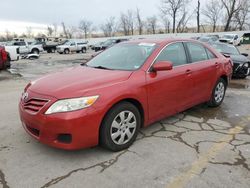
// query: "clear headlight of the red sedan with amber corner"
[[67, 105]]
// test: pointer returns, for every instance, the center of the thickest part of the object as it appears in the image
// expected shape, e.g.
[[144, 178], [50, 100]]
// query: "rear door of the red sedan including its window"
[[204, 65]]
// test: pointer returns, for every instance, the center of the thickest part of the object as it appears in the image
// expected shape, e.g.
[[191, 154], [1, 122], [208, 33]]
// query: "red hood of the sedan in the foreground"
[[75, 82]]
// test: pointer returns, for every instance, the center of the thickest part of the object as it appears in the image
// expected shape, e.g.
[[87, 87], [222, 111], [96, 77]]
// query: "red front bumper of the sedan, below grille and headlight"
[[69, 130]]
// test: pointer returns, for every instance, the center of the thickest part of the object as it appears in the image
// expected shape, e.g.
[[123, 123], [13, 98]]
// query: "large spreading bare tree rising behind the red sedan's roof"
[[172, 8]]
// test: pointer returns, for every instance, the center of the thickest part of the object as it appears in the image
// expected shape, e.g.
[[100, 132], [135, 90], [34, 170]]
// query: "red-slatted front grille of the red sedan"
[[34, 105]]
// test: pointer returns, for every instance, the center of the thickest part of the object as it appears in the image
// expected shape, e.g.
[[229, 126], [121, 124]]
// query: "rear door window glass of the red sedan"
[[197, 52]]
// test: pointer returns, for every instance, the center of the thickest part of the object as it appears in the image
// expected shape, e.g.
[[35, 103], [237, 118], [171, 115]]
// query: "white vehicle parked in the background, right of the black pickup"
[[72, 46]]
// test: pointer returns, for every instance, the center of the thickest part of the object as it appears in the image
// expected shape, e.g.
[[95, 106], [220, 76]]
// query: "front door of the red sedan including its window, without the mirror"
[[169, 91]]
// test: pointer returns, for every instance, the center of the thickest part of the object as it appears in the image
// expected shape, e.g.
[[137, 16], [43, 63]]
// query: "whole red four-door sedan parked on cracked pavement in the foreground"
[[124, 88]]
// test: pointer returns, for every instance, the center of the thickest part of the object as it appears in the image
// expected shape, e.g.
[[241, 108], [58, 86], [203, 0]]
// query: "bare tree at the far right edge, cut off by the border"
[[241, 17]]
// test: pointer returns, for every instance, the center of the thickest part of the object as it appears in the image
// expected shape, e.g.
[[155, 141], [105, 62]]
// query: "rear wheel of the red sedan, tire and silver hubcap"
[[218, 93]]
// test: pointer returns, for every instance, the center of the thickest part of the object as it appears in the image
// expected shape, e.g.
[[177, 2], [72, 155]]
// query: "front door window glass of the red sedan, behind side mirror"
[[174, 53]]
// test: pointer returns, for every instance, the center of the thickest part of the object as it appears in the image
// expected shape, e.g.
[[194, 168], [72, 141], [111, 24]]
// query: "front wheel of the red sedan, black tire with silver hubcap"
[[124, 132]]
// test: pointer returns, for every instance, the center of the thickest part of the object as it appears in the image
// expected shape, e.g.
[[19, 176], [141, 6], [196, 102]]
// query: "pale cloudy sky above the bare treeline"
[[17, 15]]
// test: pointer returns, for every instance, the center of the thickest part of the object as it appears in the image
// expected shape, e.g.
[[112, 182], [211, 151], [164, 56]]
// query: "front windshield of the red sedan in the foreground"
[[123, 56]]
